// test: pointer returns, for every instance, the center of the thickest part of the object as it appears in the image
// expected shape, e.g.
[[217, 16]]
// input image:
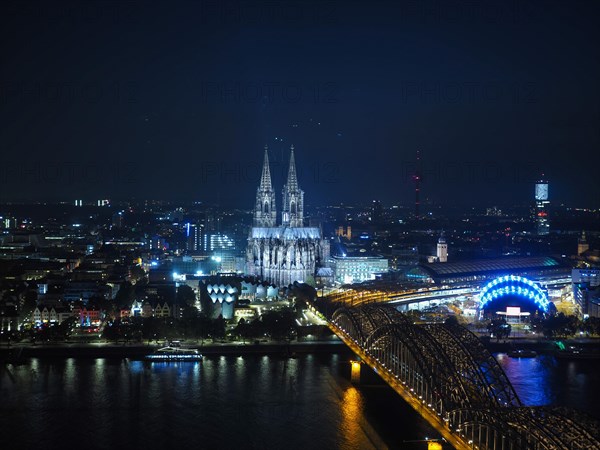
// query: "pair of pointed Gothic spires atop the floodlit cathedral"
[[293, 198]]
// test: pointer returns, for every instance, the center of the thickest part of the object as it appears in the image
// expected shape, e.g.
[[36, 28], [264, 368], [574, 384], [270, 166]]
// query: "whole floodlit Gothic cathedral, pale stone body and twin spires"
[[289, 252]]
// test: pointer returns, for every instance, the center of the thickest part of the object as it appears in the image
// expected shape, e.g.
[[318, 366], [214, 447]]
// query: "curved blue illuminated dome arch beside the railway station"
[[514, 286]]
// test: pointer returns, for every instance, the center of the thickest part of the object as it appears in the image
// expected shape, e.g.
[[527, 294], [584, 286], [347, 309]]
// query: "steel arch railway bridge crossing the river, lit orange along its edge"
[[453, 381]]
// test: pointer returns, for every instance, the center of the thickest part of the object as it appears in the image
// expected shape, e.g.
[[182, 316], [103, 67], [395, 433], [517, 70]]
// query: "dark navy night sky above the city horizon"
[[175, 100]]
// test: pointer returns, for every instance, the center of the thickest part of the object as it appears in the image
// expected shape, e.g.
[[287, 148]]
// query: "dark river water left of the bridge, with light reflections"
[[224, 402]]
